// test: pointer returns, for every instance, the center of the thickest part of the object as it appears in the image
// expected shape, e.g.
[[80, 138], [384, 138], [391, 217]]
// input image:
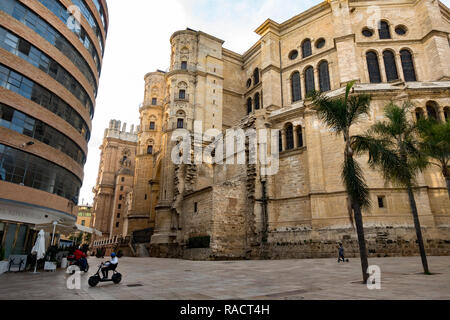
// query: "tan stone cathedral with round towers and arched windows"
[[293, 205]]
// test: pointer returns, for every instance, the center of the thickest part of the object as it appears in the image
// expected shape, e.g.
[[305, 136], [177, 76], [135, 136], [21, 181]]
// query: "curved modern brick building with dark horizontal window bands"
[[50, 63]]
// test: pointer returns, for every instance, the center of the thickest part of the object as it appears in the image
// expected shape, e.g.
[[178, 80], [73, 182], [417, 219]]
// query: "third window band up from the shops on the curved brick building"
[[13, 81]]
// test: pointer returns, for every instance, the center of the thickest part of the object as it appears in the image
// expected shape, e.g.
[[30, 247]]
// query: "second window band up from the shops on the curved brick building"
[[22, 123]]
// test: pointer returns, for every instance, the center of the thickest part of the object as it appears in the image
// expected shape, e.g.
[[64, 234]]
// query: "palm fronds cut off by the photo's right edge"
[[436, 145]]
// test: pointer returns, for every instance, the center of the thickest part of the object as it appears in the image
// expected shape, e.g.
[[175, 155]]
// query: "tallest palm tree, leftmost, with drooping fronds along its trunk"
[[340, 114]]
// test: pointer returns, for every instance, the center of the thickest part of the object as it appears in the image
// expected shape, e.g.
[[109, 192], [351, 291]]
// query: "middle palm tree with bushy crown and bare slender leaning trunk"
[[393, 148]]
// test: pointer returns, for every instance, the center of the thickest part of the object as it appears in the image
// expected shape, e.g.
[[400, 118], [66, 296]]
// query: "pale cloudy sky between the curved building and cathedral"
[[138, 43]]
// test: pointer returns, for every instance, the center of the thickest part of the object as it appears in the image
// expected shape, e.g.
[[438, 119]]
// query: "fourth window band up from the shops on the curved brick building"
[[36, 57]]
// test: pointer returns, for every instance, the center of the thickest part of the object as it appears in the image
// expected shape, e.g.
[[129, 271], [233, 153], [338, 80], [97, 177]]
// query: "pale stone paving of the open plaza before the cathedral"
[[164, 279]]
